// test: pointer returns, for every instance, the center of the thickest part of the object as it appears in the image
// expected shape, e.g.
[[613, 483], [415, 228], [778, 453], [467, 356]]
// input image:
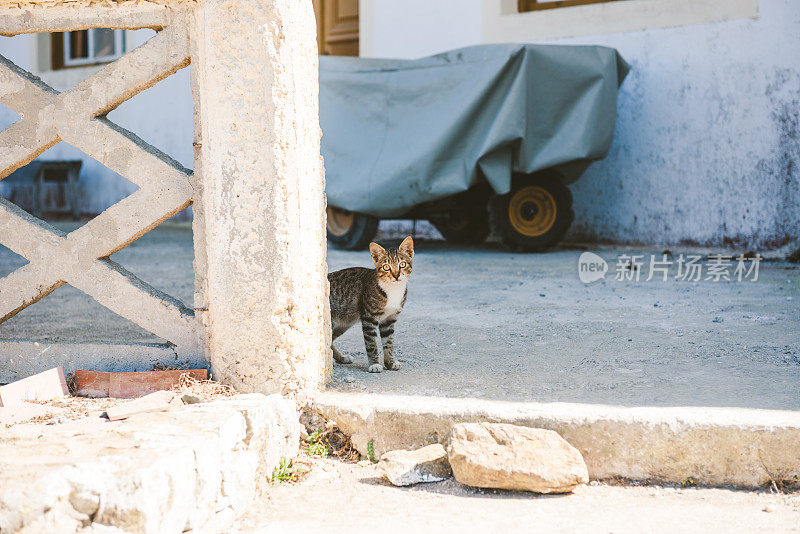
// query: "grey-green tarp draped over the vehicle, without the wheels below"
[[397, 133]]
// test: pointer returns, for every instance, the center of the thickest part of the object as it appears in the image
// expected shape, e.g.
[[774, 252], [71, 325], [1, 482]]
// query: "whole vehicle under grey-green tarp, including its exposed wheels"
[[476, 139]]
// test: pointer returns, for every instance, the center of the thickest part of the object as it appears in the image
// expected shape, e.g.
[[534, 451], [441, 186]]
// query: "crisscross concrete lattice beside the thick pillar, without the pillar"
[[78, 117]]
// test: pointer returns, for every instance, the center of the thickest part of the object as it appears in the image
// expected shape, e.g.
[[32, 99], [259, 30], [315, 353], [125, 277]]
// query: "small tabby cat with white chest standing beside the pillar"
[[375, 297]]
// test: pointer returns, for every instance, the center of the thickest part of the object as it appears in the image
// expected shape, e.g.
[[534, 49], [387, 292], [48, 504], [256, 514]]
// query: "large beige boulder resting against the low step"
[[498, 455]]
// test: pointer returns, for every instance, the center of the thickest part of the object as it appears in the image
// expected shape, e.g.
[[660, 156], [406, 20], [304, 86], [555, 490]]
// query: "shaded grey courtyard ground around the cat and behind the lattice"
[[482, 322]]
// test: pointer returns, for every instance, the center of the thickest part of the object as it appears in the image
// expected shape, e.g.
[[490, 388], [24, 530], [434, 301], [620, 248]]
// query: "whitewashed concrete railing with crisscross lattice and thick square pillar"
[[260, 315]]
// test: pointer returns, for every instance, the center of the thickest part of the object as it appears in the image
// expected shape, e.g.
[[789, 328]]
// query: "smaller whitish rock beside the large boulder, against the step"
[[403, 468]]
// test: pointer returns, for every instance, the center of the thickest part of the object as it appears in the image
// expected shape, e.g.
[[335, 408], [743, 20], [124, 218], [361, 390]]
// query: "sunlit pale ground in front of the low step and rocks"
[[341, 497]]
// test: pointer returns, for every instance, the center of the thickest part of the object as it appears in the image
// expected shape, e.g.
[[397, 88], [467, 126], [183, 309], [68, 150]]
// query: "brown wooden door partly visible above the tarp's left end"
[[337, 27]]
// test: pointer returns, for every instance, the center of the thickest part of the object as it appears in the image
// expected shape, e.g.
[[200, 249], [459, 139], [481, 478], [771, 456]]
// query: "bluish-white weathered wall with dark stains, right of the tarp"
[[706, 148]]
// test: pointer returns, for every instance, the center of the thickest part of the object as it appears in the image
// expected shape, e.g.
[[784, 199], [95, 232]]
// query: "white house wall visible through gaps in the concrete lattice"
[[161, 115]]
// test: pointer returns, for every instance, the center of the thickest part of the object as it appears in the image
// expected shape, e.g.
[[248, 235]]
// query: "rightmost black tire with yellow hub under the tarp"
[[534, 215]]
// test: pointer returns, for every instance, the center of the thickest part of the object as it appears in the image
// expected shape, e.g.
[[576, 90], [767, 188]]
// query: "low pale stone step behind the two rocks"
[[738, 447]]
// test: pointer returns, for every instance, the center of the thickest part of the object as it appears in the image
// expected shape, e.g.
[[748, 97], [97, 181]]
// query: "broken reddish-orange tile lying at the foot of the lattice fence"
[[130, 385]]
